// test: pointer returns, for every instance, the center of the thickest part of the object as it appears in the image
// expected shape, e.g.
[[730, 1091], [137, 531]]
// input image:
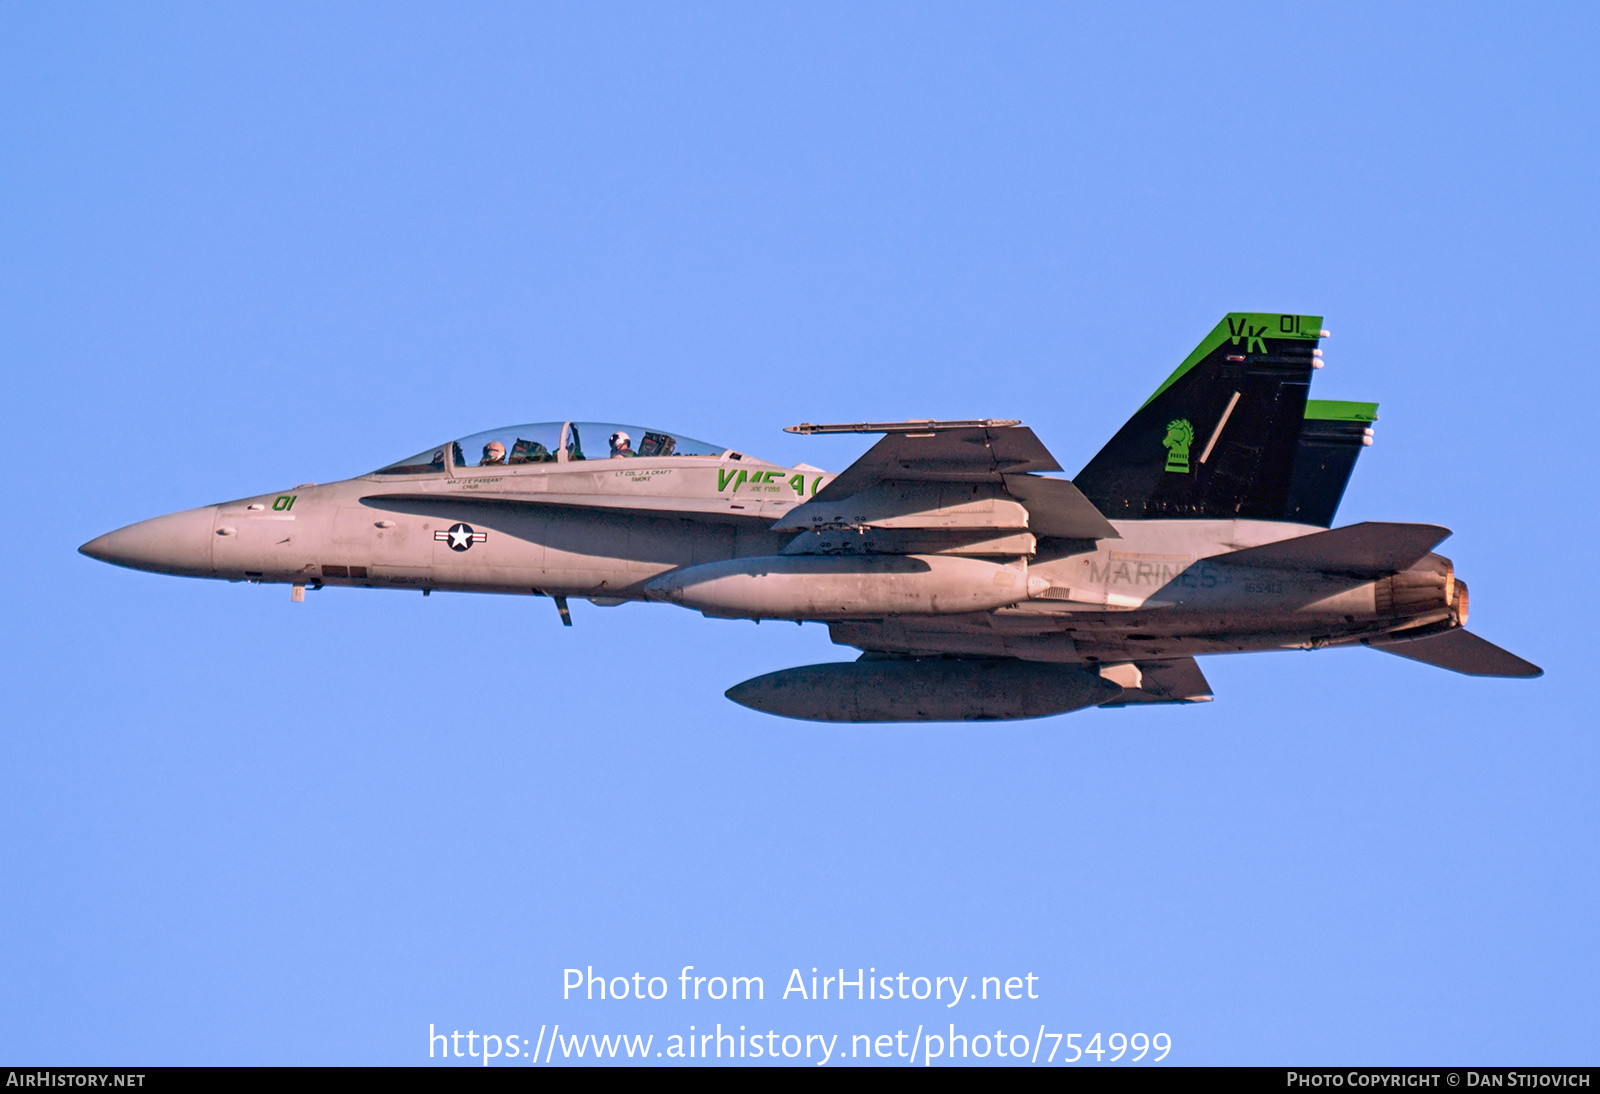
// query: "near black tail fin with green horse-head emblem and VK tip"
[[1218, 439]]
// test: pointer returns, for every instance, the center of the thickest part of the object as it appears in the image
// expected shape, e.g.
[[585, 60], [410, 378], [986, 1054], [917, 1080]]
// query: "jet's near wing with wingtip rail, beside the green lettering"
[[951, 476]]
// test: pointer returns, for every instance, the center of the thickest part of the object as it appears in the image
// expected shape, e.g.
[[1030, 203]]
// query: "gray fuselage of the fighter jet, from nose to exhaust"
[[607, 529]]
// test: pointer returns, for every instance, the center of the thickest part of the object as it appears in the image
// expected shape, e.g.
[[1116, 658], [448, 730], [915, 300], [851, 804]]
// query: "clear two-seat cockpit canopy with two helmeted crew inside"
[[551, 444]]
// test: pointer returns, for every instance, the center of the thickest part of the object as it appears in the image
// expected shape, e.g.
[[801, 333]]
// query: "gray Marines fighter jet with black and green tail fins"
[[975, 583]]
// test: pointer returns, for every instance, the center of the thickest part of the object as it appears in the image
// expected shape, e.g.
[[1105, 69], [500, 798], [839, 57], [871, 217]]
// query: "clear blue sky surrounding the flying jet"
[[255, 246]]
